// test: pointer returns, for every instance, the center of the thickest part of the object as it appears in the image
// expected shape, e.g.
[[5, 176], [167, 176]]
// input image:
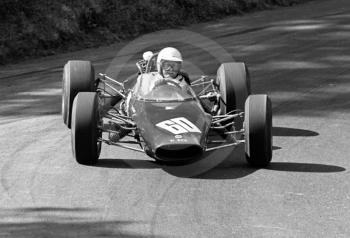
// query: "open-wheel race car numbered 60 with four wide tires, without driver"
[[168, 122]]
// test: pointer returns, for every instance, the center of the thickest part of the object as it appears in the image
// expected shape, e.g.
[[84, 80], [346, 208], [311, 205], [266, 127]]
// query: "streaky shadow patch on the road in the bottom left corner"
[[62, 222]]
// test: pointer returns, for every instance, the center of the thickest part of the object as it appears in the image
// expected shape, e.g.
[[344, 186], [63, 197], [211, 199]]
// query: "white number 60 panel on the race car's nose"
[[178, 125]]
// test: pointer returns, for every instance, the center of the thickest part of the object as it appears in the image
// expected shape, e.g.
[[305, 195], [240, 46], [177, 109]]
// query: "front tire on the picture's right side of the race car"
[[258, 130]]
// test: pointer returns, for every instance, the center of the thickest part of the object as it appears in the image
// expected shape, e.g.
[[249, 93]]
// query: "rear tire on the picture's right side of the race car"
[[234, 84]]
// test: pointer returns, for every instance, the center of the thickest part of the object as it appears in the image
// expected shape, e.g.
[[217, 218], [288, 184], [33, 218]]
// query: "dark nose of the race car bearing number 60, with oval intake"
[[173, 131]]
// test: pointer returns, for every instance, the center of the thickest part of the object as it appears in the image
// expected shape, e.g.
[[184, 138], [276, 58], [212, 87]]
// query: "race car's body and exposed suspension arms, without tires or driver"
[[169, 122]]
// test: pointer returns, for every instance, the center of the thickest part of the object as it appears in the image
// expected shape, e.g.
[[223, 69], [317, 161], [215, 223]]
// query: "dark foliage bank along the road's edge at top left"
[[43, 27]]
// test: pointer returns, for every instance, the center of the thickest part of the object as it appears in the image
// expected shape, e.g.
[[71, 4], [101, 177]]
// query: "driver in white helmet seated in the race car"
[[169, 63]]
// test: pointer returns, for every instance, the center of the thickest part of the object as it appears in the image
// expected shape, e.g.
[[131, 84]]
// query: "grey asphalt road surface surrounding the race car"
[[300, 56]]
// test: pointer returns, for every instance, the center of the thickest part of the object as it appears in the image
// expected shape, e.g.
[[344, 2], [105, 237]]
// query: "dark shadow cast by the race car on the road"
[[222, 164]]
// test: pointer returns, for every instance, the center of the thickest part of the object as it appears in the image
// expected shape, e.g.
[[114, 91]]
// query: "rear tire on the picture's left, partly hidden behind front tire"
[[78, 76]]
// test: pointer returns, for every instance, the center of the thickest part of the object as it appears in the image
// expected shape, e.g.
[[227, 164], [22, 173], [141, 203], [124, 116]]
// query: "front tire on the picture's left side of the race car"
[[85, 132]]
